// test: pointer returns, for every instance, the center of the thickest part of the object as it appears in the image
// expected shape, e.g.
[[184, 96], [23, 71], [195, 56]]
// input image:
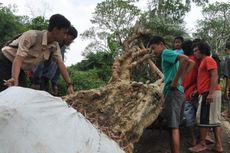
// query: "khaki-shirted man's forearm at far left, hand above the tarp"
[[16, 66]]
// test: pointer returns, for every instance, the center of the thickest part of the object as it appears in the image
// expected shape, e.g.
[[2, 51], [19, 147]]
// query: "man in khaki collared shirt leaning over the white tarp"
[[31, 48]]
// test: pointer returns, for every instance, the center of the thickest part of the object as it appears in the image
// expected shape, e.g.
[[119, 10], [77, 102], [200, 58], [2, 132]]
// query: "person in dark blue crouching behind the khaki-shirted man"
[[48, 71]]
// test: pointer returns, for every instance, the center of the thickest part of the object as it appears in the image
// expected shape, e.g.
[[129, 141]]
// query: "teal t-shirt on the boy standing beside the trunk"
[[170, 65]]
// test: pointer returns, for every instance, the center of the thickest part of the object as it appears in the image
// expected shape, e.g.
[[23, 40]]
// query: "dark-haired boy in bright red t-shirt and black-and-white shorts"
[[208, 113]]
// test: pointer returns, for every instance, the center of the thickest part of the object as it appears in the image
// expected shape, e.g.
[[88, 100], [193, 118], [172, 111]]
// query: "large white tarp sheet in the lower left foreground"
[[36, 122]]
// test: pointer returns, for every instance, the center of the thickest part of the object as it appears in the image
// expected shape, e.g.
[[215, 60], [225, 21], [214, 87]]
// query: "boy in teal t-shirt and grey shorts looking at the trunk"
[[174, 66]]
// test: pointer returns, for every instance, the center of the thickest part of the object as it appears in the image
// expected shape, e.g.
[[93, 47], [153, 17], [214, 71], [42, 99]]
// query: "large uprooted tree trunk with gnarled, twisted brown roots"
[[123, 108]]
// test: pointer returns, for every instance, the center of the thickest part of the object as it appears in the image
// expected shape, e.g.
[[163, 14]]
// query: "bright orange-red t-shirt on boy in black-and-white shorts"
[[204, 78]]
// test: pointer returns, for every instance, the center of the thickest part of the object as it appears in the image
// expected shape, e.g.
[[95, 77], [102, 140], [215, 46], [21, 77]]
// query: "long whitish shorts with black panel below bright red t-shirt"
[[209, 114]]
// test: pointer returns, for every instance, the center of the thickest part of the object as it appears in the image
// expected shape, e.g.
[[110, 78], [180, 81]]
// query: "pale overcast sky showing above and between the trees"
[[79, 12]]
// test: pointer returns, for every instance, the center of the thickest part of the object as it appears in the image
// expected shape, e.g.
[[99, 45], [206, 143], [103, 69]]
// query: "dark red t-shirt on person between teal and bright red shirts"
[[190, 80]]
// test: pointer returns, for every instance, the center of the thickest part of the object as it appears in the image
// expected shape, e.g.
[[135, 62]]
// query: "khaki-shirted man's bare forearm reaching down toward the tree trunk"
[[65, 75]]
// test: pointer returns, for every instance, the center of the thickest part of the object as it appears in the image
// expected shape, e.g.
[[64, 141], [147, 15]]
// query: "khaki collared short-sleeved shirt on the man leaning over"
[[33, 48]]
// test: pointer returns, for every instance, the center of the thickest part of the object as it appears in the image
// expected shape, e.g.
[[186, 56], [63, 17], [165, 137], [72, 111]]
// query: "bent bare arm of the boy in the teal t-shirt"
[[185, 65]]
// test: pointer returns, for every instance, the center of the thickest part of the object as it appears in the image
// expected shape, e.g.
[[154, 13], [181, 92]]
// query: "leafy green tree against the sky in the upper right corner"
[[215, 27]]
